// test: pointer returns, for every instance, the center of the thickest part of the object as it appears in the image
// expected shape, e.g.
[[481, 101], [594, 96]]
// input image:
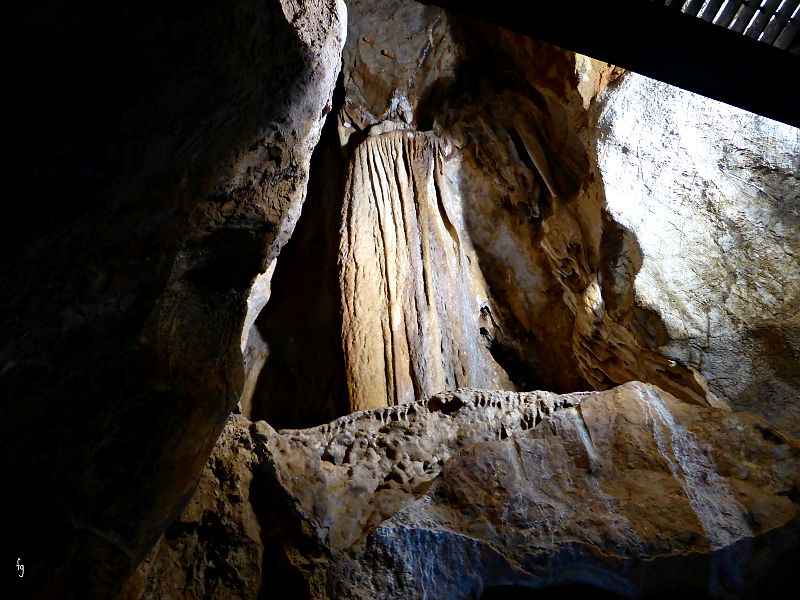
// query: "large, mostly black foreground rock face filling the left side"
[[159, 164]]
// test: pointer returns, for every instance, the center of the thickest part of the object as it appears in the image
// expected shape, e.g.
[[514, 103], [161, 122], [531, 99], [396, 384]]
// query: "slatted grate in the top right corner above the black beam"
[[774, 22]]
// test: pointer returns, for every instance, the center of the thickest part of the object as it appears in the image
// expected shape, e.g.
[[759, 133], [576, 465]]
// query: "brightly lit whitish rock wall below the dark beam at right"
[[709, 196]]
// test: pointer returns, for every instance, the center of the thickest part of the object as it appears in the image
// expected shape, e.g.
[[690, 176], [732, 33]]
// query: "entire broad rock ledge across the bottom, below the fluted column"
[[628, 490]]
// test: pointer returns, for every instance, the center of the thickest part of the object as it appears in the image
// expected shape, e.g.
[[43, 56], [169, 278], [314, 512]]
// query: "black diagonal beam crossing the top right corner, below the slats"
[[709, 60]]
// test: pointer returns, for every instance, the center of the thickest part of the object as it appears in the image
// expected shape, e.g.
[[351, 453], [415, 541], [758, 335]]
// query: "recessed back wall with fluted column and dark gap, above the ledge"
[[475, 252]]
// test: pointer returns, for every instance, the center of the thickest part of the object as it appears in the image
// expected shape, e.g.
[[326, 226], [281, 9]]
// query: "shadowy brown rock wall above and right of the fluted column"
[[520, 176]]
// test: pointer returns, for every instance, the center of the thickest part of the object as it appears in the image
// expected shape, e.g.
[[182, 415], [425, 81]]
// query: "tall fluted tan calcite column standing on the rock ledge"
[[415, 306]]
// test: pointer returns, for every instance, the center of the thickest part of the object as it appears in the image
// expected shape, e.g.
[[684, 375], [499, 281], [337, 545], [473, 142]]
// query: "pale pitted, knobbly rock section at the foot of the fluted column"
[[354, 473]]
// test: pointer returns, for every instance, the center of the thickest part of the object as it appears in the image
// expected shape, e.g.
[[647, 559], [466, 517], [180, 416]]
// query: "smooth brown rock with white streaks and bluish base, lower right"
[[631, 492]]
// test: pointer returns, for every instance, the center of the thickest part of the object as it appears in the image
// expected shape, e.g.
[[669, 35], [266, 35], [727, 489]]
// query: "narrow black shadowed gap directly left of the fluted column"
[[302, 383]]
